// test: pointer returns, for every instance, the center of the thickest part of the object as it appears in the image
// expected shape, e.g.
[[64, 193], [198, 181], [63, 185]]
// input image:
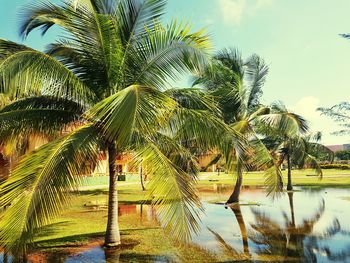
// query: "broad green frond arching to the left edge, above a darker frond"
[[25, 71]]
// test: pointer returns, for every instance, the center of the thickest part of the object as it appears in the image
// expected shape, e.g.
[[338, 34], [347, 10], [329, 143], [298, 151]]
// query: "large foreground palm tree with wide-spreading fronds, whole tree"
[[104, 80]]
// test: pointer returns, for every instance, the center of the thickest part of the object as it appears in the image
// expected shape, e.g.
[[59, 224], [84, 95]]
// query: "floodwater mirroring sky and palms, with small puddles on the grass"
[[308, 225]]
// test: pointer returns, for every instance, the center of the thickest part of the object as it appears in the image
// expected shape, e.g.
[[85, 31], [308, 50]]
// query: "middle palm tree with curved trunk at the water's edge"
[[237, 85]]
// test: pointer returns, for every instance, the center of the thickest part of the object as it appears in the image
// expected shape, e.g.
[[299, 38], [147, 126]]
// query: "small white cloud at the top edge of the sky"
[[233, 11]]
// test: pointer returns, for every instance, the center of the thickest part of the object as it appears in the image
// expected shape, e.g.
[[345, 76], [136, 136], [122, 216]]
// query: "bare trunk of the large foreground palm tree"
[[112, 238]]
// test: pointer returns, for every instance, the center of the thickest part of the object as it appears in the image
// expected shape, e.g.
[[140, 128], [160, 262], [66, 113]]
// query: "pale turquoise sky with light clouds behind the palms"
[[309, 62]]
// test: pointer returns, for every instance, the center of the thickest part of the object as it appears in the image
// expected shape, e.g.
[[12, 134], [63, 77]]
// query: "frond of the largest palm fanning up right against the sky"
[[167, 52]]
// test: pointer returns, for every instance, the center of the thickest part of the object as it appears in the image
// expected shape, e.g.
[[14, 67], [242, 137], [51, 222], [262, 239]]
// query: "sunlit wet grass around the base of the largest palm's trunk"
[[81, 224]]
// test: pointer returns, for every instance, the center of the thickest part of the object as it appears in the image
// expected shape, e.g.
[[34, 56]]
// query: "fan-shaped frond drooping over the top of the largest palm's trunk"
[[136, 107]]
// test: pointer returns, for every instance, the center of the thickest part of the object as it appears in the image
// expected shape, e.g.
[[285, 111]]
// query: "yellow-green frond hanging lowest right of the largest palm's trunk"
[[173, 191]]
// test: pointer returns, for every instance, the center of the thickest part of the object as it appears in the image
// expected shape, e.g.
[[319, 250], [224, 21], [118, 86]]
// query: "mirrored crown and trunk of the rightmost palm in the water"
[[289, 241]]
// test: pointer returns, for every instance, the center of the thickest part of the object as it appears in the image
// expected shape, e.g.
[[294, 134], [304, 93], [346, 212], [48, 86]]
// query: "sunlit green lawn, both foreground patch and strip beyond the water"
[[84, 220]]
